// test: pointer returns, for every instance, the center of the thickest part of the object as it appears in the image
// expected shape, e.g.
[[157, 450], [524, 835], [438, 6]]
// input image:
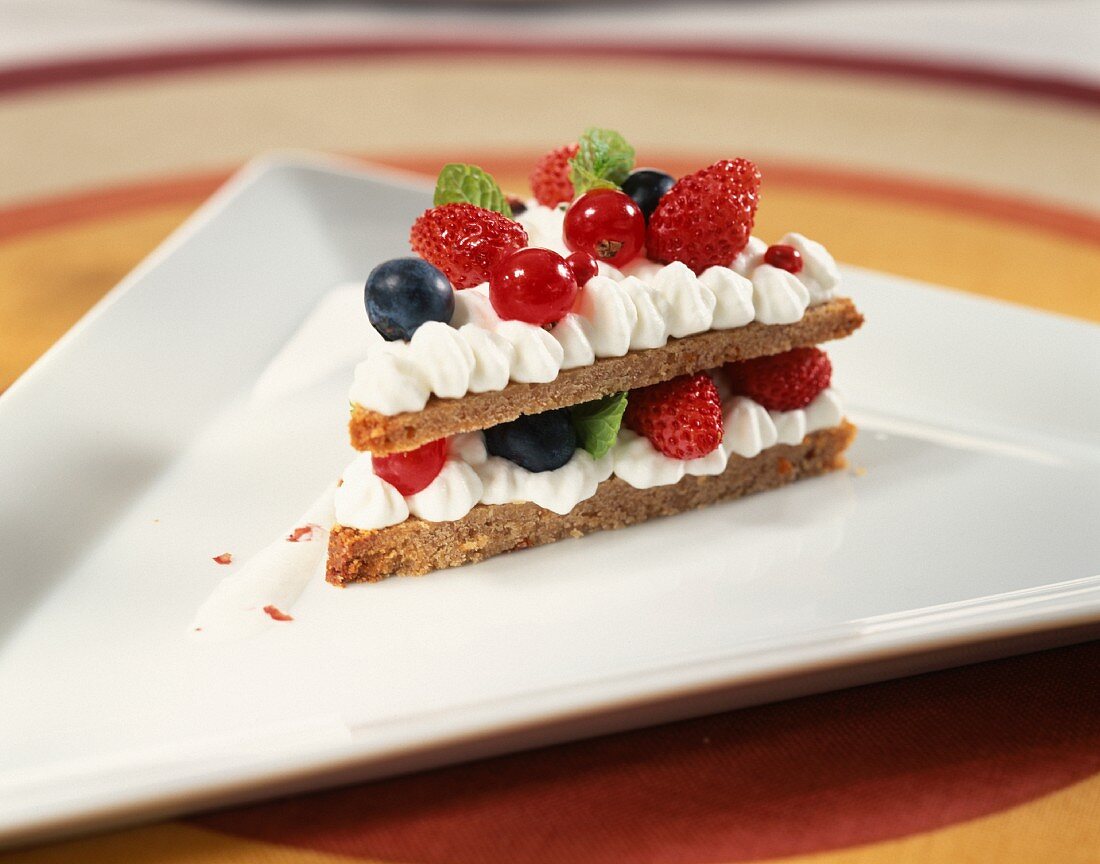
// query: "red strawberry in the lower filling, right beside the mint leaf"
[[681, 418]]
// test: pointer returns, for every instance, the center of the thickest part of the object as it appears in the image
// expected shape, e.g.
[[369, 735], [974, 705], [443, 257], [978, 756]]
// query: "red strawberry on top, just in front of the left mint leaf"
[[466, 242]]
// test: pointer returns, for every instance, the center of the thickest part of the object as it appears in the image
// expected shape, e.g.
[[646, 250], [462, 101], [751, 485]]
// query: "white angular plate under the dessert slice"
[[130, 456]]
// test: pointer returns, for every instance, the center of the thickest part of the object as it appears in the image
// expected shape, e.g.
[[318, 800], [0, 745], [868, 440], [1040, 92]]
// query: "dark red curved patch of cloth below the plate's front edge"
[[816, 774]]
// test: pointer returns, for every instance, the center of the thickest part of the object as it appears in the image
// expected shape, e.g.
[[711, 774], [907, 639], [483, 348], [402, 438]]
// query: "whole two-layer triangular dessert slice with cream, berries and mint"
[[619, 348]]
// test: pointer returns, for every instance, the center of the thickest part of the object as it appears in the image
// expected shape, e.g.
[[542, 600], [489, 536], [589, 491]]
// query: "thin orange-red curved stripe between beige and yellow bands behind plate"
[[57, 212]]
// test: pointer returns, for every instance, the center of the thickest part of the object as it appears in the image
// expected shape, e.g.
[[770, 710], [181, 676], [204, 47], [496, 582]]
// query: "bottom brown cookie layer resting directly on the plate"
[[416, 548]]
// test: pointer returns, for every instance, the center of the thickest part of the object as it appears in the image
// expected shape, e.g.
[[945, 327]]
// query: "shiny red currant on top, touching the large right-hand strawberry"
[[607, 224]]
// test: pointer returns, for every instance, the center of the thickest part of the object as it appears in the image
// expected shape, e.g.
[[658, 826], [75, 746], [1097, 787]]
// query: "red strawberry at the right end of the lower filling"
[[783, 382]]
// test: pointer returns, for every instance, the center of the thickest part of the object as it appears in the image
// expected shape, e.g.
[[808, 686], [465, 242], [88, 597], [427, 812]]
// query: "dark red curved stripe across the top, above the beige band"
[[73, 72]]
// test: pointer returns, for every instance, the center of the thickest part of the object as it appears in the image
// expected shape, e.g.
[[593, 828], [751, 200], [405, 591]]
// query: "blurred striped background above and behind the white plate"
[[954, 143]]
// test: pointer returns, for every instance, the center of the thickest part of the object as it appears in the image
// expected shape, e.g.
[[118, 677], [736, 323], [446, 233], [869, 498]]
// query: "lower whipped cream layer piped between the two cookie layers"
[[472, 477]]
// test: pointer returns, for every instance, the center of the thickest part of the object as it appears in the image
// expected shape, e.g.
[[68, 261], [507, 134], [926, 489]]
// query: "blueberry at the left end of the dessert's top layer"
[[403, 293]]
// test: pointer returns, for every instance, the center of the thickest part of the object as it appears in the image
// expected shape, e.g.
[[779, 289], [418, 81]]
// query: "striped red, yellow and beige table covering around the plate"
[[896, 137]]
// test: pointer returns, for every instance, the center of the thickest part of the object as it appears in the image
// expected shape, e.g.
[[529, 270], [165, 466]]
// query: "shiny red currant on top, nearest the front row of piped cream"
[[533, 286]]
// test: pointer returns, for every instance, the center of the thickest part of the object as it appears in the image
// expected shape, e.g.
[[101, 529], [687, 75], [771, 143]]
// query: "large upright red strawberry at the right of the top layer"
[[707, 218]]
